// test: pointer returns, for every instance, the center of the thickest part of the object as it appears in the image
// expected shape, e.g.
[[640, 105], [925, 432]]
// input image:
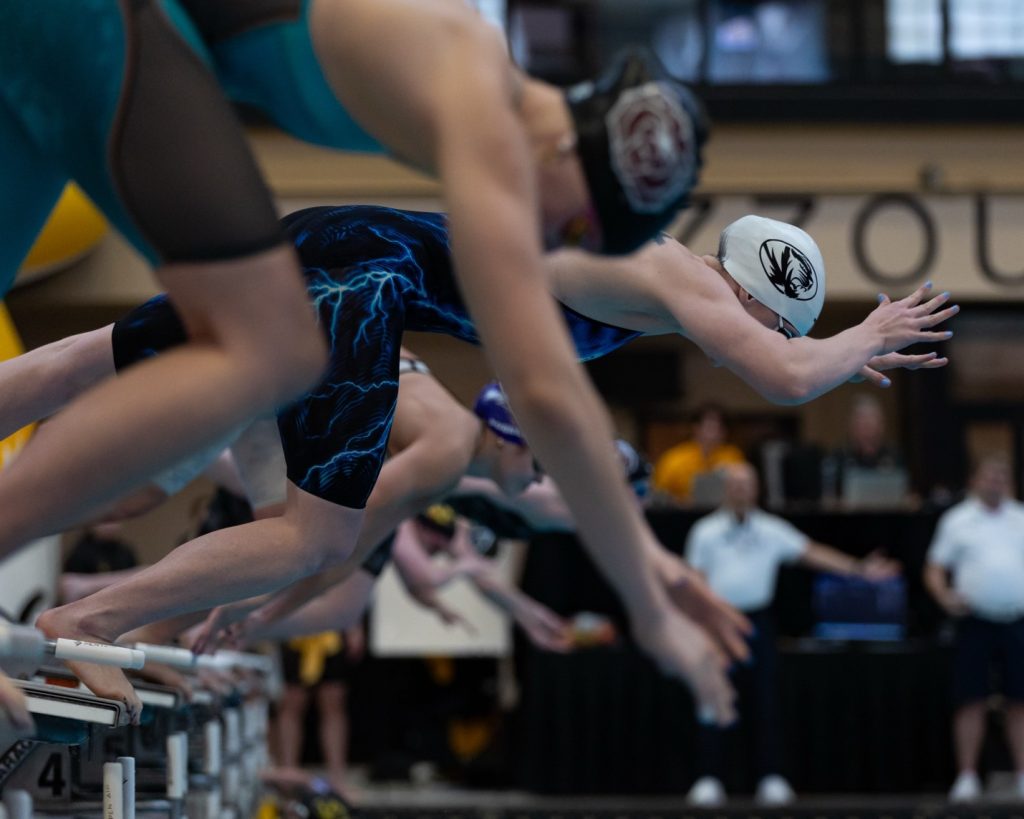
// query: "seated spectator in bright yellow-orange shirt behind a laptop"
[[678, 468]]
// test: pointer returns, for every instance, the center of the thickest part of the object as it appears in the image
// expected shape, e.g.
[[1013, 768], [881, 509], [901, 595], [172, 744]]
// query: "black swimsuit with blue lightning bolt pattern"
[[372, 274]]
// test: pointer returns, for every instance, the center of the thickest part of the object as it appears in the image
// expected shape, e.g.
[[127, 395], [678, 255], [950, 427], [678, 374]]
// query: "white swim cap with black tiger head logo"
[[780, 266]]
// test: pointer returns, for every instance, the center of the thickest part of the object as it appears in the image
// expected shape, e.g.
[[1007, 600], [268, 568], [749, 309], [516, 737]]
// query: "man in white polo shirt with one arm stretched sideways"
[[740, 549]]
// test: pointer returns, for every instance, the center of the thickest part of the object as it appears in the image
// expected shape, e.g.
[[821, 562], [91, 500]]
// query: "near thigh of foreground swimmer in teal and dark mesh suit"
[[118, 99]]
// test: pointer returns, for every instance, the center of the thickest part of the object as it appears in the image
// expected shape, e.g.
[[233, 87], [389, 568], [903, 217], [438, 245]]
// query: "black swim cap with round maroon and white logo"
[[639, 135]]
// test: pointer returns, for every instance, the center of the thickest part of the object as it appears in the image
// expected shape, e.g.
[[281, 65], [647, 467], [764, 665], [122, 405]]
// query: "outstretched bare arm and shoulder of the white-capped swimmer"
[[668, 289]]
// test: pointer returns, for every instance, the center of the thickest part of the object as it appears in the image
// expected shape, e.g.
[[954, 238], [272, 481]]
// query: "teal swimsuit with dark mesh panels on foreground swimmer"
[[127, 99]]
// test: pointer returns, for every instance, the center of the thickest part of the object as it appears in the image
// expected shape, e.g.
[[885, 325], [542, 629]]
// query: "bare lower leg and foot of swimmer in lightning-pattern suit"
[[221, 568]]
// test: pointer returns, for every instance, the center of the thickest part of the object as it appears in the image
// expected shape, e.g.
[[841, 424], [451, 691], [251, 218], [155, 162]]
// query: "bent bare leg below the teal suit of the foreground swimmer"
[[253, 346]]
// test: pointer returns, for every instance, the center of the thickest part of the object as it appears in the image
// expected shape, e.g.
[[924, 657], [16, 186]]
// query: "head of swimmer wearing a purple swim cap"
[[510, 463]]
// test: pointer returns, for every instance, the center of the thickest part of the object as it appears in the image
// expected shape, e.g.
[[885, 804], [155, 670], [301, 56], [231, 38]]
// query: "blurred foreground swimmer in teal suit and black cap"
[[523, 166]]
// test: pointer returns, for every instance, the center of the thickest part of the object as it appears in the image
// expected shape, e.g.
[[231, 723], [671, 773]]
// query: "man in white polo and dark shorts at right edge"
[[982, 543]]
